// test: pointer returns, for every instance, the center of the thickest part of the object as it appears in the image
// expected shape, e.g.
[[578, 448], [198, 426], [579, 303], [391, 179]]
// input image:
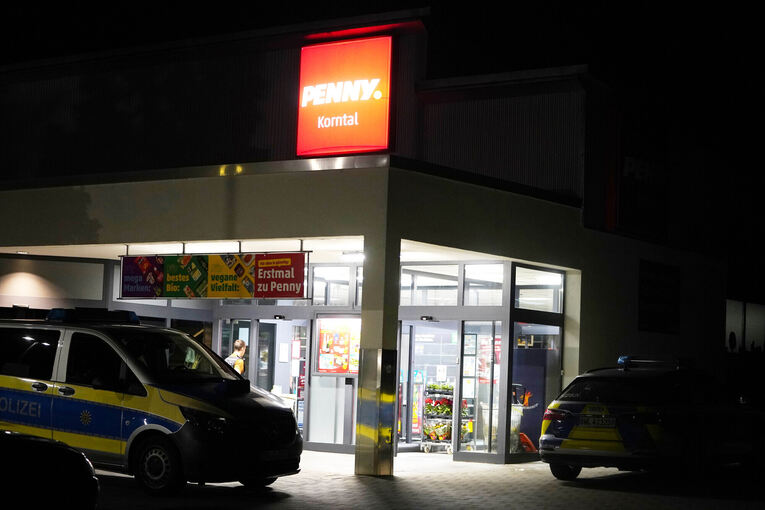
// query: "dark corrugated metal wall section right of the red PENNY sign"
[[535, 140]]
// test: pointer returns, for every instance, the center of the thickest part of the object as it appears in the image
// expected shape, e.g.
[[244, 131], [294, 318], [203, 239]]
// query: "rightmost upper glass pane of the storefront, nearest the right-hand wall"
[[538, 290]]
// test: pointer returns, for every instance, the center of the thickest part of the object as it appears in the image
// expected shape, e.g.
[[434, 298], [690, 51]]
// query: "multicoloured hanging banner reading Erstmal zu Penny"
[[223, 276]]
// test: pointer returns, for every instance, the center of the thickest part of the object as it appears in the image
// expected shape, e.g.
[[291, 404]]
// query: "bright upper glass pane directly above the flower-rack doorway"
[[434, 285]]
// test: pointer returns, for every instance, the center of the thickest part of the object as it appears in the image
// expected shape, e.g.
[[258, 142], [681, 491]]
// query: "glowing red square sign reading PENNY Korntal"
[[344, 99]]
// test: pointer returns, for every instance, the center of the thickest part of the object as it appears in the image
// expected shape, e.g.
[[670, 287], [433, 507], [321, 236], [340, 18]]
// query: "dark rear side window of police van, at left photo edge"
[[28, 352]]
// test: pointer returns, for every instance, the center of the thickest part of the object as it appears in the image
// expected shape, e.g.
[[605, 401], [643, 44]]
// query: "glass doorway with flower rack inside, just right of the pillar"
[[427, 381]]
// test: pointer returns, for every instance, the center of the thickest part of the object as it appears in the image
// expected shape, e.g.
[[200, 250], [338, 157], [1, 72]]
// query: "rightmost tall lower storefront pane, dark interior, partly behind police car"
[[536, 381]]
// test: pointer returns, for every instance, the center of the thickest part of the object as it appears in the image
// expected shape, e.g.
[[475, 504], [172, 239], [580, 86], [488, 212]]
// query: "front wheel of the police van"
[[158, 467]]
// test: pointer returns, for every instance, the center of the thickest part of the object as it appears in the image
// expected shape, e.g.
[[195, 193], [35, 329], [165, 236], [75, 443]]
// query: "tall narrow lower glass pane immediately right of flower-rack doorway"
[[479, 415]]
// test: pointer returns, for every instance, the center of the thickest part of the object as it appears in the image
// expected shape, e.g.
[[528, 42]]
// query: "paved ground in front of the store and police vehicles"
[[435, 481]]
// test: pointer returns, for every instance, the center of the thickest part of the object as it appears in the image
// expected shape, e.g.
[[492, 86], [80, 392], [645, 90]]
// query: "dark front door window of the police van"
[[92, 362]]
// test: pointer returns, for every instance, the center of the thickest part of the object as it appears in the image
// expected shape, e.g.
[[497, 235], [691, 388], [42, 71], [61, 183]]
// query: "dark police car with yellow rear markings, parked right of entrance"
[[647, 415]]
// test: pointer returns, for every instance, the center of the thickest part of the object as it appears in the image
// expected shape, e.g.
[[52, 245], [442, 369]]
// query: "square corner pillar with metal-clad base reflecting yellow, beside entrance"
[[375, 423]]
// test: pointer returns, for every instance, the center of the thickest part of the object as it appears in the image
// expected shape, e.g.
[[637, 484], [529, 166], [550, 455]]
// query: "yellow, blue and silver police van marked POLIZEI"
[[144, 400]]
